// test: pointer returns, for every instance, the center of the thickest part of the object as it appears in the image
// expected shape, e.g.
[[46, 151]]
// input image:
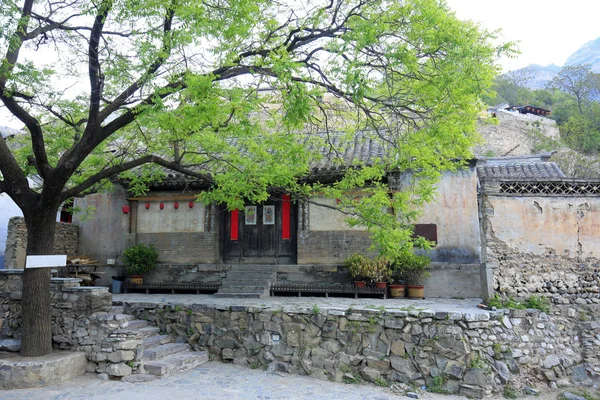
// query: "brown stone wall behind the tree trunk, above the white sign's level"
[[66, 241]]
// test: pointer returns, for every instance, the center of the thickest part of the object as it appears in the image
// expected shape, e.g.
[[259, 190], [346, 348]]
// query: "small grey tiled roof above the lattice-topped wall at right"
[[536, 170]]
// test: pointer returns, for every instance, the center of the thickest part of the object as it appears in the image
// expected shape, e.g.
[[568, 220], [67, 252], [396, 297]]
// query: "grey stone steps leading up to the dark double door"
[[248, 281]]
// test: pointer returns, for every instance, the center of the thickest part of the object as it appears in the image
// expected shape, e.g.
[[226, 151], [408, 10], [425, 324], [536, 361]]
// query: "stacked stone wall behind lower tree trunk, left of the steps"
[[81, 321]]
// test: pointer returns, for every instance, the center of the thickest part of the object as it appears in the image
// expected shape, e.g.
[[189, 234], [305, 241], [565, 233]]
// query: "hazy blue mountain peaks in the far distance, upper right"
[[589, 53]]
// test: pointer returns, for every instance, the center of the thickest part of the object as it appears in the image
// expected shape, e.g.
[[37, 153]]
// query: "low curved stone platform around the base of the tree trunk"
[[18, 372]]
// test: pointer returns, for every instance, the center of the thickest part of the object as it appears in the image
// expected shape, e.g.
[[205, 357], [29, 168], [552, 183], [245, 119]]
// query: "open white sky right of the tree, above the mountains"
[[549, 31]]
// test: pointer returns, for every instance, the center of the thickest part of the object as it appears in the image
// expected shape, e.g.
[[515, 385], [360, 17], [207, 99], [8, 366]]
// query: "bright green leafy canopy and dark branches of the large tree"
[[230, 92]]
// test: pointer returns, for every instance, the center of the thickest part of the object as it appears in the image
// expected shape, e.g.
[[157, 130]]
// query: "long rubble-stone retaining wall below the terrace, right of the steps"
[[473, 354]]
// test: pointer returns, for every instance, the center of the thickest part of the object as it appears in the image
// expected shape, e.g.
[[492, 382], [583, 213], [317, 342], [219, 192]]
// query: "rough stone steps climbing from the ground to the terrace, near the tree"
[[160, 356]]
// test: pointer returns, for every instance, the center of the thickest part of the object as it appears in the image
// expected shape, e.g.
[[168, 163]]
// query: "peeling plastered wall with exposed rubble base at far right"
[[546, 246]]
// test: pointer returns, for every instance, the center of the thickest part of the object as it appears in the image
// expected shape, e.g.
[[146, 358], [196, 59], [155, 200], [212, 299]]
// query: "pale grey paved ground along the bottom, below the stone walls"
[[216, 381]]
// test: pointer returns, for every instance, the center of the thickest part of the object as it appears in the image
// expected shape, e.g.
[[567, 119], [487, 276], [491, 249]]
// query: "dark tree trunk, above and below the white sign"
[[36, 317]]
